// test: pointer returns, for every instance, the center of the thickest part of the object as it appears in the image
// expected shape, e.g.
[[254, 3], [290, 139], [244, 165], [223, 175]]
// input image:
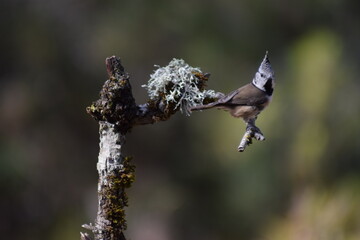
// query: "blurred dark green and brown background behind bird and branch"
[[303, 182]]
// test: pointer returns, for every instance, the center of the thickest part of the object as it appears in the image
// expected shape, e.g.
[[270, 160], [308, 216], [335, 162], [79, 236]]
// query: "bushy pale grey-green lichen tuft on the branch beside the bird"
[[178, 83]]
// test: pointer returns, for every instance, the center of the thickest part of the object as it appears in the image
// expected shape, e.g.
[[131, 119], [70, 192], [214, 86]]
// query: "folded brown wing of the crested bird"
[[247, 95]]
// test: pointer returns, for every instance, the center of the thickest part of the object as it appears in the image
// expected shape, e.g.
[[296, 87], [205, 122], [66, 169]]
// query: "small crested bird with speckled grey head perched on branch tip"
[[249, 100]]
